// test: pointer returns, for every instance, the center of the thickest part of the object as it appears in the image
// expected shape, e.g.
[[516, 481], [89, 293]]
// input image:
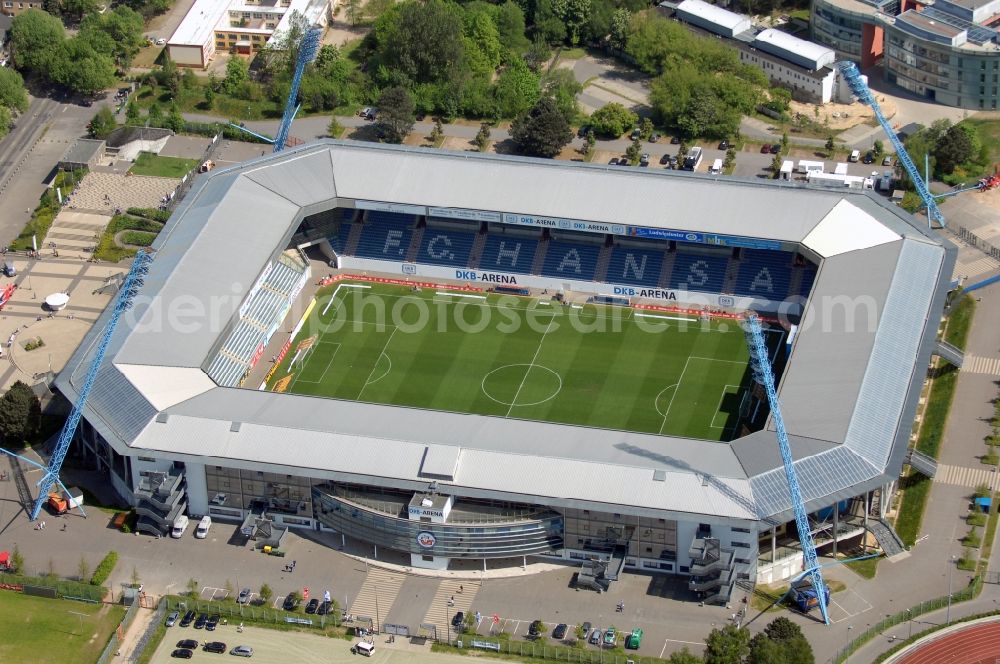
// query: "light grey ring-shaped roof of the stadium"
[[874, 308]]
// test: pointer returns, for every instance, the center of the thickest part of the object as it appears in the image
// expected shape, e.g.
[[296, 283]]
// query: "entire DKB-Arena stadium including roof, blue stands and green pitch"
[[460, 357]]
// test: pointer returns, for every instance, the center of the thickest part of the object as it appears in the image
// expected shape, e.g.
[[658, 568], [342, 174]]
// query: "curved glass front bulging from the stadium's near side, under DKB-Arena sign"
[[487, 539]]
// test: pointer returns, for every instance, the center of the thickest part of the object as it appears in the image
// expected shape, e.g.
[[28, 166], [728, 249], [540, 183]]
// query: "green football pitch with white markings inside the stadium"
[[521, 357]]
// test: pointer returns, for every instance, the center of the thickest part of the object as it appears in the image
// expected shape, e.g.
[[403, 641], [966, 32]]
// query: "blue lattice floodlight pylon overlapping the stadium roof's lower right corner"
[[764, 375]]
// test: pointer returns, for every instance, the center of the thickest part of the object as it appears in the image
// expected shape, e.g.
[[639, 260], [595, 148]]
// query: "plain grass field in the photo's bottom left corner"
[[49, 630]]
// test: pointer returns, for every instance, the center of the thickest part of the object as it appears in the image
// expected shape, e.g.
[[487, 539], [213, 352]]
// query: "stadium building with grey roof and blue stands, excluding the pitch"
[[175, 423]]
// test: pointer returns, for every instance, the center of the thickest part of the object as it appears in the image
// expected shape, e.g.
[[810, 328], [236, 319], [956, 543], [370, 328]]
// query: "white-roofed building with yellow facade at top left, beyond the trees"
[[237, 26]]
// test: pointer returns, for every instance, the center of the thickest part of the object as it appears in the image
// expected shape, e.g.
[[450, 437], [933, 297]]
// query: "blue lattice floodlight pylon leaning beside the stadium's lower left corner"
[[130, 287]]
